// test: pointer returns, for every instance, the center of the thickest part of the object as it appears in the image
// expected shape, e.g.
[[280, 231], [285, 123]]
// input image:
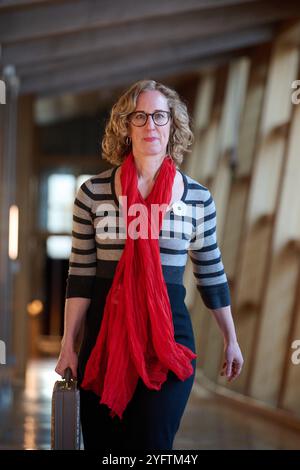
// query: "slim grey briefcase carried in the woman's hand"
[[65, 416]]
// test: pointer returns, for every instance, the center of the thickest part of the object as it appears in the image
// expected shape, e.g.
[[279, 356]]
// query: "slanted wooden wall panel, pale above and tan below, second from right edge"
[[259, 219]]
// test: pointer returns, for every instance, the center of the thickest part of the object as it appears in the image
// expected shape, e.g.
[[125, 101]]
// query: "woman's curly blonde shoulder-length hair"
[[114, 146]]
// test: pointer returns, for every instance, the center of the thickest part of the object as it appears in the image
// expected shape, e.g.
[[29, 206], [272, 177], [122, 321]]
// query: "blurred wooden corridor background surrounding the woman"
[[236, 64]]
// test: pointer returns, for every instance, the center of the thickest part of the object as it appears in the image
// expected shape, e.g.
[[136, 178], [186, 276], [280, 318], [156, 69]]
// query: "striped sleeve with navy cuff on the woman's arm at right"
[[206, 257]]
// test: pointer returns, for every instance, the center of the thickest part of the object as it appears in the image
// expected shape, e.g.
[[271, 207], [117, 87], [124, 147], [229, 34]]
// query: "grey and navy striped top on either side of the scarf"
[[188, 229]]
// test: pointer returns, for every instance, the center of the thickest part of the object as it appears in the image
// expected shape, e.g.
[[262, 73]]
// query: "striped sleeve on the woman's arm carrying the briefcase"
[[82, 262]]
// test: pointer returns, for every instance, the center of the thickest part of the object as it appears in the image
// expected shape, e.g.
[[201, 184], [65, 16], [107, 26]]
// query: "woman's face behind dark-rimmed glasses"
[[150, 101]]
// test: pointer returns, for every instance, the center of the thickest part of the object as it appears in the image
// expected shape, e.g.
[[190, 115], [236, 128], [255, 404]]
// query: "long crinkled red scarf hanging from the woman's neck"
[[136, 338]]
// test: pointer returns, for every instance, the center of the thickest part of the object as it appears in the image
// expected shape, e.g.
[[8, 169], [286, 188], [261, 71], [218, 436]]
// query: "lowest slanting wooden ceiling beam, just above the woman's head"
[[181, 57]]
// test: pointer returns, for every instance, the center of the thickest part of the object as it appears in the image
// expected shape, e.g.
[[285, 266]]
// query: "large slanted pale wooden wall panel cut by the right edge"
[[281, 288]]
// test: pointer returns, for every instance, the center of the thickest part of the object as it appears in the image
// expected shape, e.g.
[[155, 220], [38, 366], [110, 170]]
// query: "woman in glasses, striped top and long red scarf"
[[126, 270]]
